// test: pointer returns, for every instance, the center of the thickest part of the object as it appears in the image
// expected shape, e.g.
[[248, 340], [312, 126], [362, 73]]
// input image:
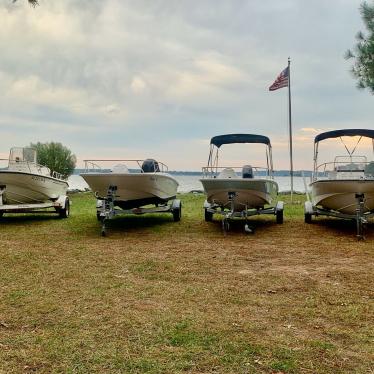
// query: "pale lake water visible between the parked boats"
[[189, 183]]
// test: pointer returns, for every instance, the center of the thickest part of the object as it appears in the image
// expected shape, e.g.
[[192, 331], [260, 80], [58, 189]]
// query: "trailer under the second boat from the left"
[[106, 210]]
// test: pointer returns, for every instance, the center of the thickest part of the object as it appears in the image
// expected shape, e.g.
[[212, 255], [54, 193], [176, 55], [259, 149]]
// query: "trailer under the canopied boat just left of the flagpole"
[[231, 214]]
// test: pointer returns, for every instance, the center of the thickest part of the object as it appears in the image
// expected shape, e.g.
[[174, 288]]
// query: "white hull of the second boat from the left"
[[131, 186]]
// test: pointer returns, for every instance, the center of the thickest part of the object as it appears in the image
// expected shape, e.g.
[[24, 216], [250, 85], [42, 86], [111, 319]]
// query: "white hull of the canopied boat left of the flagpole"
[[249, 193]]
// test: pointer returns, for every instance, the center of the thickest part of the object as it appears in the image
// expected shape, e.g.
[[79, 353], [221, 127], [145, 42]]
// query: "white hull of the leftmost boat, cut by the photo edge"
[[27, 188]]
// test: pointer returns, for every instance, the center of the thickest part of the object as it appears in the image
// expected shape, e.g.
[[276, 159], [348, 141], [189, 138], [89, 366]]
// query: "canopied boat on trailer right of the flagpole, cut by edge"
[[343, 186]]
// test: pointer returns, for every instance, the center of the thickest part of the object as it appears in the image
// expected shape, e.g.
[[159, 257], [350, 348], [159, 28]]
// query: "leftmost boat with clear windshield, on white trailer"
[[26, 185]]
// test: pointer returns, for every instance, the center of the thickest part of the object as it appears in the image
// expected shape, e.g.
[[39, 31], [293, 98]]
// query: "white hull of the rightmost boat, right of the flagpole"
[[340, 195]]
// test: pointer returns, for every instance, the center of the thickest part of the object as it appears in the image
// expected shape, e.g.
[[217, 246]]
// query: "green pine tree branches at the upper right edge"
[[363, 52]]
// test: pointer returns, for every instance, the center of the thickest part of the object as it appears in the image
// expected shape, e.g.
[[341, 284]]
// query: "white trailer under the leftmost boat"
[[61, 206]]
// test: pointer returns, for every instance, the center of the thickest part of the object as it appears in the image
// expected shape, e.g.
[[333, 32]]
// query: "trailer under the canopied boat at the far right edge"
[[361, 217]]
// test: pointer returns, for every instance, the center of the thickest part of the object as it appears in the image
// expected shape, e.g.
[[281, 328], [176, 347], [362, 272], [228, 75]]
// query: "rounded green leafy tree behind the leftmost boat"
[[56, 157]]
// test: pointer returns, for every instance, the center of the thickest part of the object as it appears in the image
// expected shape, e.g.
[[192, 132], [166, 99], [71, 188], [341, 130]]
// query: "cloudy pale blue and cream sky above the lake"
[[159, 78]]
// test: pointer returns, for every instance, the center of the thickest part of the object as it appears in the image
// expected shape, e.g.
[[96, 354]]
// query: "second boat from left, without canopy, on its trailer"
[[123, 190]]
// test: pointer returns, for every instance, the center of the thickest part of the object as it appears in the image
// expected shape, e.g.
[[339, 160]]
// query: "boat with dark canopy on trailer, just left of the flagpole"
[[240, 192]]
